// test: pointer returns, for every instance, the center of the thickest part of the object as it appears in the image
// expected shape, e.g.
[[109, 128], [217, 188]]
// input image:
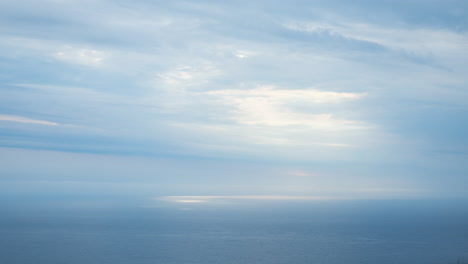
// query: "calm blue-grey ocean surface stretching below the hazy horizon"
[[326, 232]]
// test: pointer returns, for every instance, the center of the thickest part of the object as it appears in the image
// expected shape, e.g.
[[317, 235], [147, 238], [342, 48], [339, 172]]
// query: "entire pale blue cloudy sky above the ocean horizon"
[[176, 100]]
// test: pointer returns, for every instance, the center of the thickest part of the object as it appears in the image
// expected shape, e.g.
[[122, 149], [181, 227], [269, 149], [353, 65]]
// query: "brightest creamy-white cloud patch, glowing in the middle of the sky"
[[268, 106]]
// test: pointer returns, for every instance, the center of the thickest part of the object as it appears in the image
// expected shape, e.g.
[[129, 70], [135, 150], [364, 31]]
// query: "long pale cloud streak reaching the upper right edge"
[[403, 42]]
